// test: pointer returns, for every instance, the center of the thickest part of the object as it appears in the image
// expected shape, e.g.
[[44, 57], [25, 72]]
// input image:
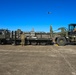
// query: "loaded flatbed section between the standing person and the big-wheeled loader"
[[38, 38]]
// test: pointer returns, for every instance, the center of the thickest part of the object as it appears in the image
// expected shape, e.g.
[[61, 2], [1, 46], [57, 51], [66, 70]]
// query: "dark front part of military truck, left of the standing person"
[[9, 37]]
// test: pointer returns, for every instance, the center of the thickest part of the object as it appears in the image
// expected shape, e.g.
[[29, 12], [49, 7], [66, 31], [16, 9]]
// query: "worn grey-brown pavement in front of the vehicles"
[[38, 60]]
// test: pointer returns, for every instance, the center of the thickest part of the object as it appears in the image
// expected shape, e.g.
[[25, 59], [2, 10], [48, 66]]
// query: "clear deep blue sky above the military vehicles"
[[28, 14]]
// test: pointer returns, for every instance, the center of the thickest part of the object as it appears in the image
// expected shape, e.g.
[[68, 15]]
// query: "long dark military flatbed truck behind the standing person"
[[34, 38]]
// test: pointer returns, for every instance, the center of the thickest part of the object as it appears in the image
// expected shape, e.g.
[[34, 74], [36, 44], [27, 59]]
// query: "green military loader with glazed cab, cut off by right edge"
[[66, 36]]
